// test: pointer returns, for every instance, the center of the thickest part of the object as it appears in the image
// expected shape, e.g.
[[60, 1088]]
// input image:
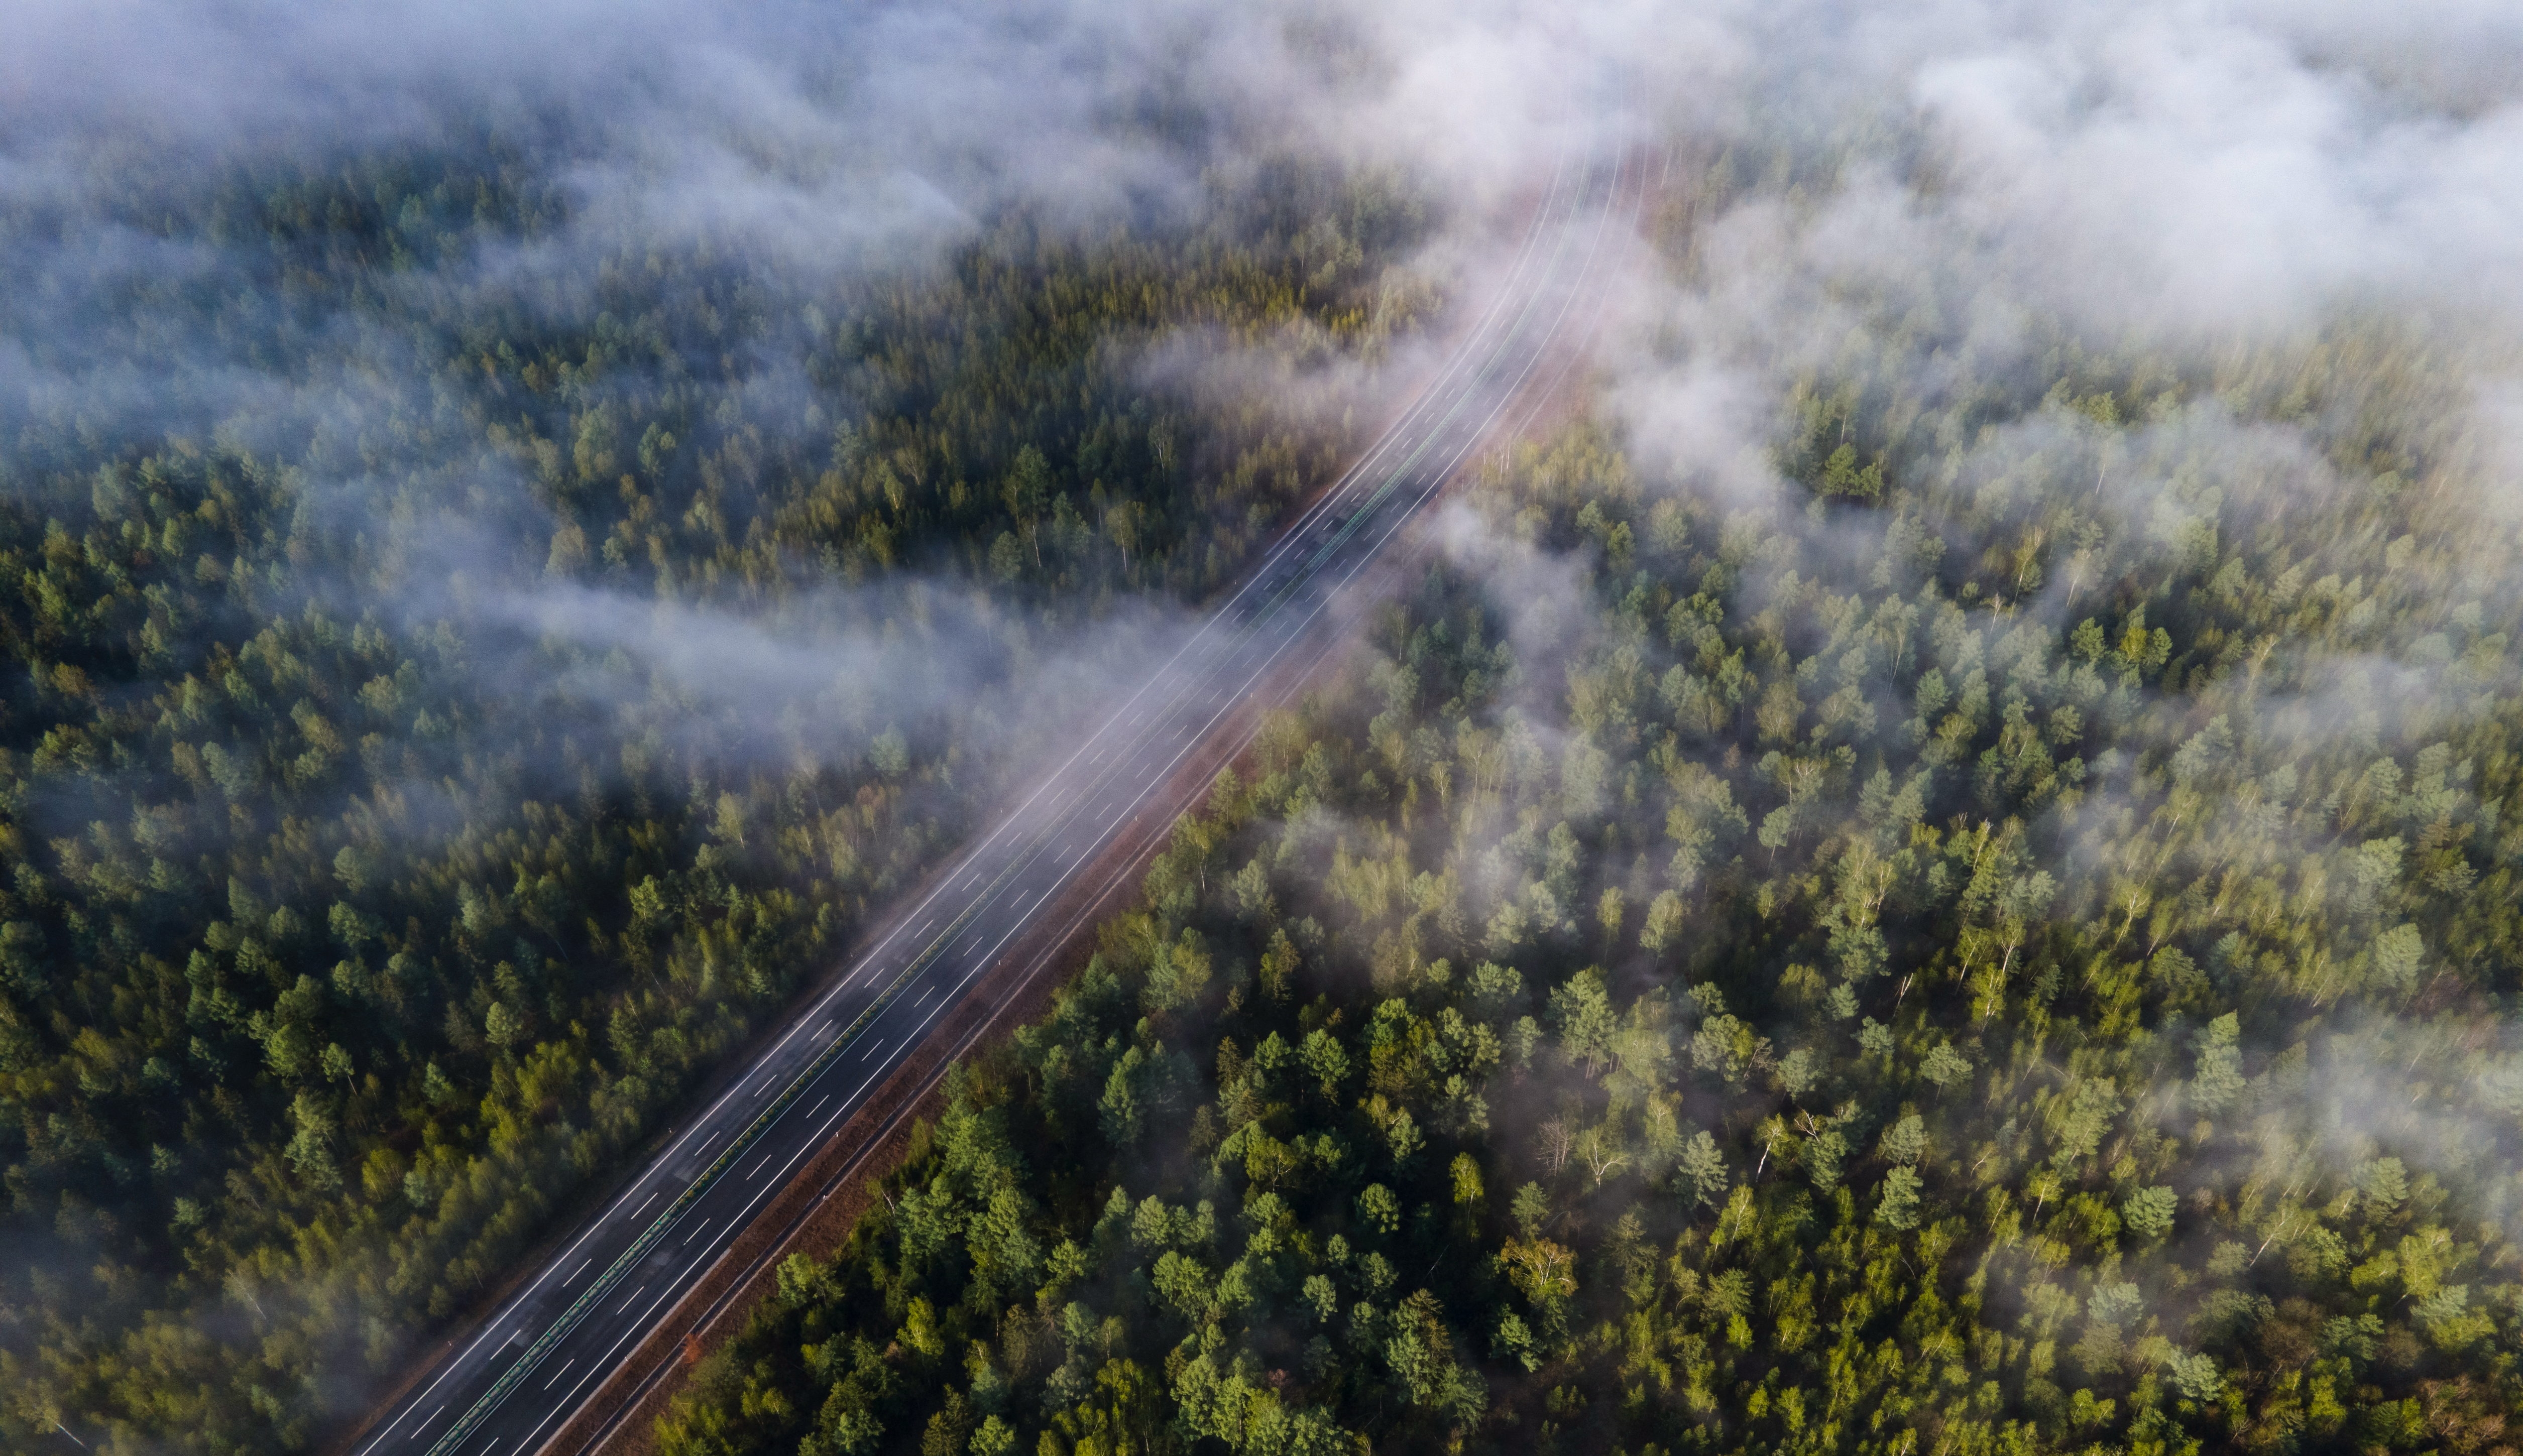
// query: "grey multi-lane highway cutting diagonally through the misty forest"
[[511, 1387]]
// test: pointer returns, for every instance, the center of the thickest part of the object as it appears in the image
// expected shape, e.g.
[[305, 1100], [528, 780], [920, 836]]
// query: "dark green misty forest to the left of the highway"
[[453, 700]]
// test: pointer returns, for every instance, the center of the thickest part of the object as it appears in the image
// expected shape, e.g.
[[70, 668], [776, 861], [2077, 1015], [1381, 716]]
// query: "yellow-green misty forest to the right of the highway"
[[2010, 948]]
